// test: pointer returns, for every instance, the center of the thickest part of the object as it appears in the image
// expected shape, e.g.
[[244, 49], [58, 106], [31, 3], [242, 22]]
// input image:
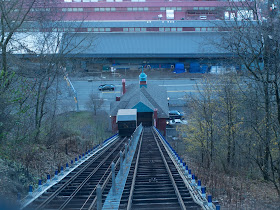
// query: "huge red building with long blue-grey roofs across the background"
[[149, 33]]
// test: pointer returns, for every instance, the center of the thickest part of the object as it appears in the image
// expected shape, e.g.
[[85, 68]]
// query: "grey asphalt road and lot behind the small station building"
[[179, 87]]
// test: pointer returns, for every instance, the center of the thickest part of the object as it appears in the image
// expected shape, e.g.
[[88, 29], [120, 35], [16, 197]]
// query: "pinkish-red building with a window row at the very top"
[[98, 10]]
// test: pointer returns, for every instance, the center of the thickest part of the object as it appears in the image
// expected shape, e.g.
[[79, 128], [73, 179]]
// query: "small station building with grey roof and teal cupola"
[[149, 100]]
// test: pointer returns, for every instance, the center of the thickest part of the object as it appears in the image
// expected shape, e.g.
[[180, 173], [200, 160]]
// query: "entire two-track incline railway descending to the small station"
[[140, 172]]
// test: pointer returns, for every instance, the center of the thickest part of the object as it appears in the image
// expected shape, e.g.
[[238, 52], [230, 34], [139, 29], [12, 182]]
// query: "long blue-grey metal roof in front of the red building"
[[125, 45]]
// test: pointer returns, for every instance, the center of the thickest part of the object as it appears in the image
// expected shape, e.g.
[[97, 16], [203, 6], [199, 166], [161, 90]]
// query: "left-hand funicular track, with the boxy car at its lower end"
[[78, 189]]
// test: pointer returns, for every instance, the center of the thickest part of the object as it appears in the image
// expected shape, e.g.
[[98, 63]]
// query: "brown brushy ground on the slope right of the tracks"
[[237, 192]]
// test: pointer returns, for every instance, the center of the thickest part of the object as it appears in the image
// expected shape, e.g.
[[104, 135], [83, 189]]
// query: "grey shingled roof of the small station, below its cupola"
[[152, 97]]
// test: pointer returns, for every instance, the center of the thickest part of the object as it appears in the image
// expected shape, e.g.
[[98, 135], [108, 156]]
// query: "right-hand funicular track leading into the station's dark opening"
[[153, 181]]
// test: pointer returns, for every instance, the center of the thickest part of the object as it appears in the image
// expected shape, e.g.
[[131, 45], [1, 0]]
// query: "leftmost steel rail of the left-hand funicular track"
[[55, 193]]
